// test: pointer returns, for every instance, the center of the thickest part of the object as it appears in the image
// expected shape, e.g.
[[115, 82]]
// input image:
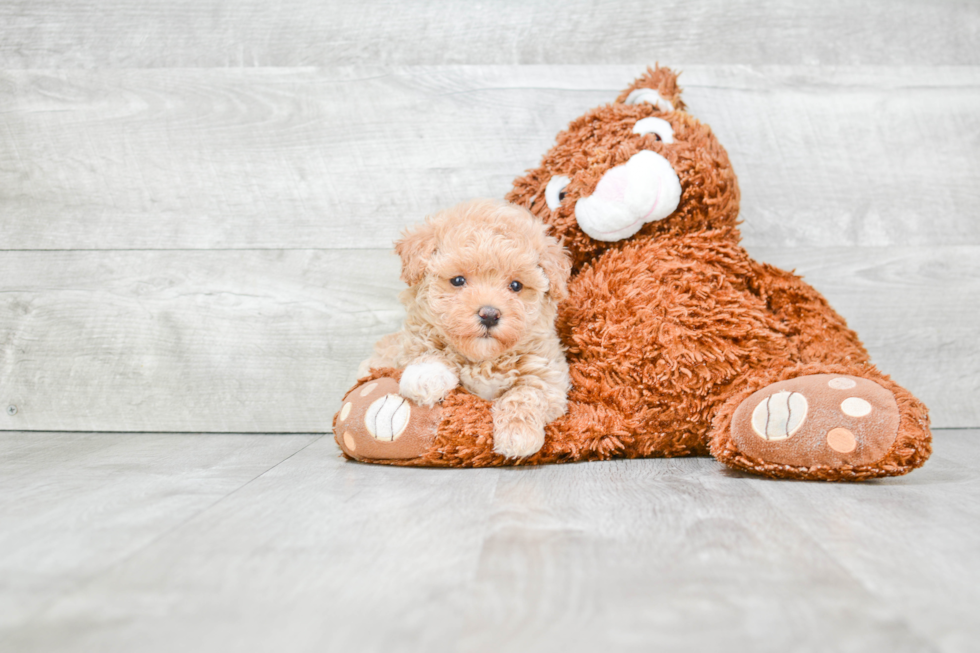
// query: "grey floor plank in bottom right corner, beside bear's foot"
[[934, 589]]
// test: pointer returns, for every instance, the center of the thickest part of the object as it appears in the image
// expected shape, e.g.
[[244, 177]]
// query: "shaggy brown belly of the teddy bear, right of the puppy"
[[664, 331]]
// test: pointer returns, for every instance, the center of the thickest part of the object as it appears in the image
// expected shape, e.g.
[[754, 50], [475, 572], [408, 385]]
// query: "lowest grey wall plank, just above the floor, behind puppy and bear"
[[268, 341]]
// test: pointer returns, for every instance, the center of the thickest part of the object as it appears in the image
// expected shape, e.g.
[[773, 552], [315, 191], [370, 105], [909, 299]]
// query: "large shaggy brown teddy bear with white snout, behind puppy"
[[678, 342]]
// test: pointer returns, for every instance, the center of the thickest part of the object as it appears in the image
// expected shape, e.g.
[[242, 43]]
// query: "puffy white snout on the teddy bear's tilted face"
[[644, 189]]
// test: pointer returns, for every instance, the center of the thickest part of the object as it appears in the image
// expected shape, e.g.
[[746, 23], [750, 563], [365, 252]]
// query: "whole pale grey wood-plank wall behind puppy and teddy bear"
[[197, 199]]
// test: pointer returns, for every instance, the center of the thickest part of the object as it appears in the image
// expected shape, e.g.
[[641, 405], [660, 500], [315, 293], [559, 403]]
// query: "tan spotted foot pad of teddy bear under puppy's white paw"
[[376, 422]]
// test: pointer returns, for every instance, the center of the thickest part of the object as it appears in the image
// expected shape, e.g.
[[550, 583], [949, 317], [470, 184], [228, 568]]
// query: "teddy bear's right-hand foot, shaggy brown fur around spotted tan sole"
[[823, 422]]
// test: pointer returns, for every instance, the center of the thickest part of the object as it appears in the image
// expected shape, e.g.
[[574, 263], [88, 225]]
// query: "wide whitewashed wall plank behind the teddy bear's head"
[[347, 157]]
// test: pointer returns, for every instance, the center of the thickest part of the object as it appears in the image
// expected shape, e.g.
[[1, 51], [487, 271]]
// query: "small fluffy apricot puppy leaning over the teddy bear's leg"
[[484, 284]]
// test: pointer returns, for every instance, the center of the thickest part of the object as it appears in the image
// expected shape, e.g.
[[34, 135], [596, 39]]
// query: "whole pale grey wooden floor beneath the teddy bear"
[[313, 553]]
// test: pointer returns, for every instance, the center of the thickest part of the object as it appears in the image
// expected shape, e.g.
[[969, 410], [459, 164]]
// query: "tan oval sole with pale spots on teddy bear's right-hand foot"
[[829, 420]]
